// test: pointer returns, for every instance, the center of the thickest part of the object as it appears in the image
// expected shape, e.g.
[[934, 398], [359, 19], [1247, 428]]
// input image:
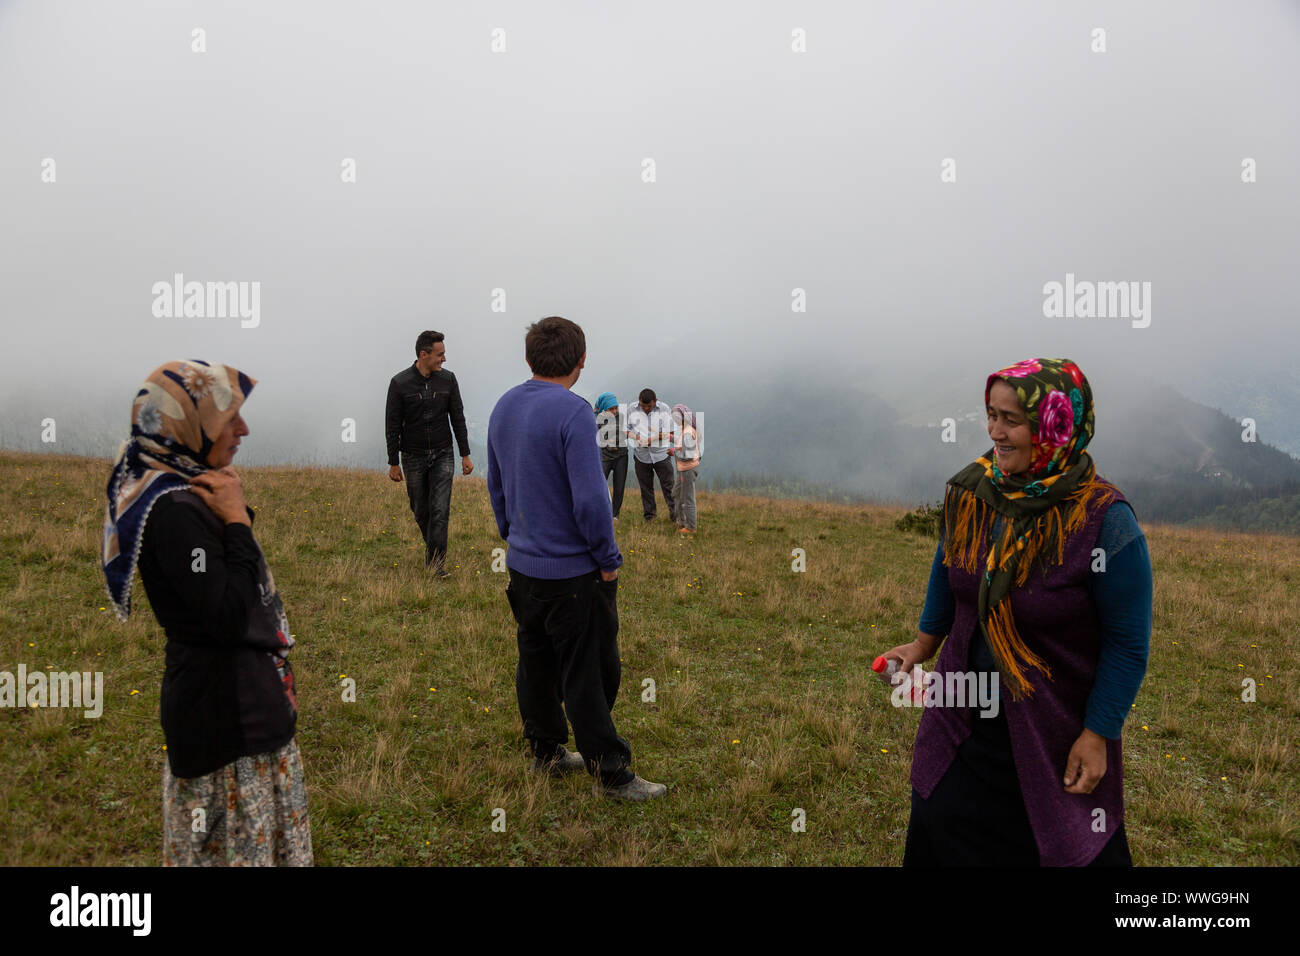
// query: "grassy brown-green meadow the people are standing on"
[[764, 697]]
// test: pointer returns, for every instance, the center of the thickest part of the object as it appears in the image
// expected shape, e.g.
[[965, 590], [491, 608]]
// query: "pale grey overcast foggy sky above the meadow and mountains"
[[525, 171]]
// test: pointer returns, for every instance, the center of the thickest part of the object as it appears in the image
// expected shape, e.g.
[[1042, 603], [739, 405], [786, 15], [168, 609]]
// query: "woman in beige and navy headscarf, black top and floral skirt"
[[233, 790]]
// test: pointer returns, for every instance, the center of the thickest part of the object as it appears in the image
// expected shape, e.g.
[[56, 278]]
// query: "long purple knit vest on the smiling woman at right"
[[1058, 620]]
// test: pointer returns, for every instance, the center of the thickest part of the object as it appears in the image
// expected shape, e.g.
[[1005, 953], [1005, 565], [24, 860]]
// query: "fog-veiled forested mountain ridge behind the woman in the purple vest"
[[1175, 460]]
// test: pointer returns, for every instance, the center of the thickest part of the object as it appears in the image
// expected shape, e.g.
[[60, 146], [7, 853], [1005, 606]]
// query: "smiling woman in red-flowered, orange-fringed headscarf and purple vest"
[[1042, 585]]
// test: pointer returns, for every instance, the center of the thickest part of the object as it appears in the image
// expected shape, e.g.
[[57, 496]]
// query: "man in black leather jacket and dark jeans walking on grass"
[[422, 401]]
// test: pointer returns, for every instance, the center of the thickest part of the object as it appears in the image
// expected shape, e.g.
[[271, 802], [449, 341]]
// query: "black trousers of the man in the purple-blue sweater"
[[569, 664]]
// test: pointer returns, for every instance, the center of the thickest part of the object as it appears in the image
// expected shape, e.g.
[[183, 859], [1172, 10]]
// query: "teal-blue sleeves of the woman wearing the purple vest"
[[1124, 599]]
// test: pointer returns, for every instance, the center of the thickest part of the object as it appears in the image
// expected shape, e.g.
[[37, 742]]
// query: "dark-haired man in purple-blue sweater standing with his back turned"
[[552, 507]]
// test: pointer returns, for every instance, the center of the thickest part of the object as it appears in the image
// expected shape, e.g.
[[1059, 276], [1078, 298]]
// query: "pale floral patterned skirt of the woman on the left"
[[249, 814]]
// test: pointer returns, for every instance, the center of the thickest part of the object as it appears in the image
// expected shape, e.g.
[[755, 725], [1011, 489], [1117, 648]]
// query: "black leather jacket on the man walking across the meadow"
[[418, 414]]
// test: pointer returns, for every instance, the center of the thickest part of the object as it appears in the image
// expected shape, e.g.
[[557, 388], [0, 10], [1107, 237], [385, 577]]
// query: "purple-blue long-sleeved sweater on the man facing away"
[[547, 487]]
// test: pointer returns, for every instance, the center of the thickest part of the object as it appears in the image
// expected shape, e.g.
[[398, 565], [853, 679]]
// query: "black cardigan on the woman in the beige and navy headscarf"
[[223, 694]]
